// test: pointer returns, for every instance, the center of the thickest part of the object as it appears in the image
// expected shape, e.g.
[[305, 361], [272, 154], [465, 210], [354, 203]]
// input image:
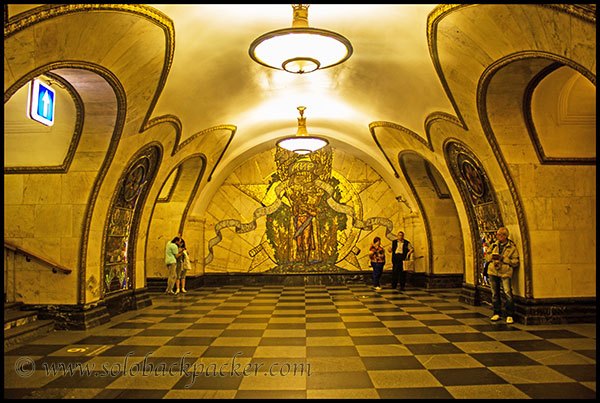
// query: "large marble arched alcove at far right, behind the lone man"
[[555, 192]]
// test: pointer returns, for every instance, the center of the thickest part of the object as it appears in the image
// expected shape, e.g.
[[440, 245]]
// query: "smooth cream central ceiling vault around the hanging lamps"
[[214, 81]]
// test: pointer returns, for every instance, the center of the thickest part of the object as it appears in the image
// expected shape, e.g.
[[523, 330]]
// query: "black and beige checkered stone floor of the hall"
[[307, 342]]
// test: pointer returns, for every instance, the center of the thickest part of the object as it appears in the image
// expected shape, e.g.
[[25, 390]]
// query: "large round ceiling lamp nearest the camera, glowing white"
[[300, 49]]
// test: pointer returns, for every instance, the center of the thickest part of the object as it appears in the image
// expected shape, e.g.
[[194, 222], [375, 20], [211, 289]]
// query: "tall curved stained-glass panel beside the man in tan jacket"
[[479, 198]]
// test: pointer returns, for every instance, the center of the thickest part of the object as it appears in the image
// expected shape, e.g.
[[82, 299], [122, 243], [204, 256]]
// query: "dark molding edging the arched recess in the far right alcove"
[[528, 117]]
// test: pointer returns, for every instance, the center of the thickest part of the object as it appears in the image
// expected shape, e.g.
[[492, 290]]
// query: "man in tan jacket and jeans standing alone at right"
[[505, 258]]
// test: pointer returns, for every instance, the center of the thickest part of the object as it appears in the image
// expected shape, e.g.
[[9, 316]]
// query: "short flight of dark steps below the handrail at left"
[[20, 326]]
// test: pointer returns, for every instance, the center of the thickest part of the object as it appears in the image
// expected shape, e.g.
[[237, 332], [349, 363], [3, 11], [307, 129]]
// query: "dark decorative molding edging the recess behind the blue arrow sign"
[[79, 120]]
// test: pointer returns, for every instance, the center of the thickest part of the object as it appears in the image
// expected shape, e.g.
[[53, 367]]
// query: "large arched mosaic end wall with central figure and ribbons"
[[287, 213]]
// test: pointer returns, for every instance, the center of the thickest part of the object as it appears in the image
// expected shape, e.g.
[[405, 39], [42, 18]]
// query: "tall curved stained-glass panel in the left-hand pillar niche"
[[123, 219]]
